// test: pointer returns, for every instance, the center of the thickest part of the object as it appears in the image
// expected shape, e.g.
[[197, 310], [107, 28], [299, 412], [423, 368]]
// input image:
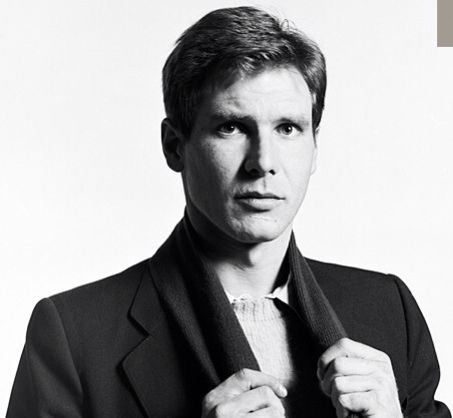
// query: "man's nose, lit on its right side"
[[262, 156]]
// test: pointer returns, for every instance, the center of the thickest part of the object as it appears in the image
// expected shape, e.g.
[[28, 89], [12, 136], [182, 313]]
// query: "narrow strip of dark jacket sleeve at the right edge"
[[423, 367]]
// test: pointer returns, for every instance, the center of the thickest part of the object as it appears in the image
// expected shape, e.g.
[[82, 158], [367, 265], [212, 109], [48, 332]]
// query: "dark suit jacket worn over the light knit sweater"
[[122, 347]]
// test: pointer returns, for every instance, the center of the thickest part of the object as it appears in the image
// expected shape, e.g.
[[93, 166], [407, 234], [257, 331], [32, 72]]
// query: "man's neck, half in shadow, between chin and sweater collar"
[[244, 268]]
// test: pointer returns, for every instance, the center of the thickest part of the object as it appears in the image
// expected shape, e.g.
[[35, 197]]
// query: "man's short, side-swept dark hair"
[[239, 41]]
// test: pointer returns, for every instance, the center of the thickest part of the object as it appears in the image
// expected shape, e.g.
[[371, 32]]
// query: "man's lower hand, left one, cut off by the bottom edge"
[[246, 393]]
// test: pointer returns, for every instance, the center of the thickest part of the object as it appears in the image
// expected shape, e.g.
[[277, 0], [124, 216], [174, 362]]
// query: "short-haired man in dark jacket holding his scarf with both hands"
[[228, 319]]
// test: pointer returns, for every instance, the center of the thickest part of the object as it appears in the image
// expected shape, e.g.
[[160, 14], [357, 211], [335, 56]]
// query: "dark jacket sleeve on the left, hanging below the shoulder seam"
[[47, 383]]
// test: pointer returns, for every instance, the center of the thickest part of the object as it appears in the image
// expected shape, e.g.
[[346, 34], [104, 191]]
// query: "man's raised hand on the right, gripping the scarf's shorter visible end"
[[359, 378]]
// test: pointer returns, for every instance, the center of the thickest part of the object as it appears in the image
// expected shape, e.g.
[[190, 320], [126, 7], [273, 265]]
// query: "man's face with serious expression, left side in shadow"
[[247, 163]]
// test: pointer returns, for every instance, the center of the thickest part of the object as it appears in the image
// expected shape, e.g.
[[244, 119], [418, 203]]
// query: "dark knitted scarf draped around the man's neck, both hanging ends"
[[204, 297]]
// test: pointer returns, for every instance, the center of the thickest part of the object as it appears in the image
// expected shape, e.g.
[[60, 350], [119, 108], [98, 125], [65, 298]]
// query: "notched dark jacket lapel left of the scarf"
[[171, 366]]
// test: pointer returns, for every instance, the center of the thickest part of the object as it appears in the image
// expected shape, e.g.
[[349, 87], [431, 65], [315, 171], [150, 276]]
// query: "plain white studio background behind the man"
[[85, 191]]
